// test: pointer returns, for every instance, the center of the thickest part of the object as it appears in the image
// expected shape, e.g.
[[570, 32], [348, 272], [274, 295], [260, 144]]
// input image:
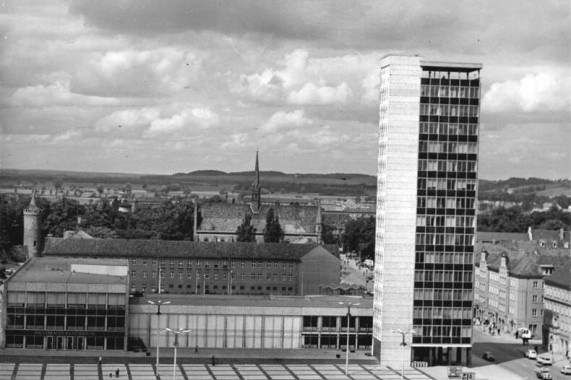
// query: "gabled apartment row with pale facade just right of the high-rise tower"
[[510, 278]]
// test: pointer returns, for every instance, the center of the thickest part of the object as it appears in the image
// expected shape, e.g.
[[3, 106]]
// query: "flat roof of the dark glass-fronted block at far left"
[[57, 270]]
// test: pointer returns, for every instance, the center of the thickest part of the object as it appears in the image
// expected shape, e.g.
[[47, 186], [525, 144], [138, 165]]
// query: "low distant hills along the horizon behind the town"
[[341, 184]]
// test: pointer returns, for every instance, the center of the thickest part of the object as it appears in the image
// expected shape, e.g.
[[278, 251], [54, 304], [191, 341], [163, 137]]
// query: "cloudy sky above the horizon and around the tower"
[[149, 86]]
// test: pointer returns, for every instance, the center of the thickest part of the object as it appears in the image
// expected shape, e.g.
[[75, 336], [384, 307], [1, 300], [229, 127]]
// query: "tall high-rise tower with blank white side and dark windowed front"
[[426, 210]]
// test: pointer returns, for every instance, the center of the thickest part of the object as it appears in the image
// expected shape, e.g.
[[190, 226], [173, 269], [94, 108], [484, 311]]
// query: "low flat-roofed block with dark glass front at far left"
[[57, 303]]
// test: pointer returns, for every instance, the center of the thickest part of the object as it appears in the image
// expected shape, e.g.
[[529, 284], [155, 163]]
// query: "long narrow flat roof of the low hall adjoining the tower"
[[324, 301]]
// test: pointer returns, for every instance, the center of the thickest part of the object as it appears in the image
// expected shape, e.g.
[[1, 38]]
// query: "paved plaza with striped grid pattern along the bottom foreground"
[[38, 371]]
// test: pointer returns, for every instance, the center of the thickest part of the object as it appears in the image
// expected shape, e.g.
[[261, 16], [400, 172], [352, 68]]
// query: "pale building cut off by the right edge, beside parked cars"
[[557, 316]]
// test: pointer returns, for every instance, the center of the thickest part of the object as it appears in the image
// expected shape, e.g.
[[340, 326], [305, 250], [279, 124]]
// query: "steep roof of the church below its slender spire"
[[222, 217]]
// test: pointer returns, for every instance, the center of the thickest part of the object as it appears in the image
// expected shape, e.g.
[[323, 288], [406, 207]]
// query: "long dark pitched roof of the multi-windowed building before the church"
[[119, 248]]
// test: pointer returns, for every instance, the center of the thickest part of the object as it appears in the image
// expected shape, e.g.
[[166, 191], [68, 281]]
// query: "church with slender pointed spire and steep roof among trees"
[[299, 222]]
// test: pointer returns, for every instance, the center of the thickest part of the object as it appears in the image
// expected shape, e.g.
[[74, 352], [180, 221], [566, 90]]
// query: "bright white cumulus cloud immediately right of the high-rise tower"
[[542, 92]]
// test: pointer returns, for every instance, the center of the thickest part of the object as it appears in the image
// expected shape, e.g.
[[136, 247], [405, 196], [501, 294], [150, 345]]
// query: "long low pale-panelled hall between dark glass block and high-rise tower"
[[243, 322]]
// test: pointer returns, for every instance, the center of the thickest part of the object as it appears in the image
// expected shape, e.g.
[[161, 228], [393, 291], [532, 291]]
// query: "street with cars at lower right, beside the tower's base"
[[509, 354]]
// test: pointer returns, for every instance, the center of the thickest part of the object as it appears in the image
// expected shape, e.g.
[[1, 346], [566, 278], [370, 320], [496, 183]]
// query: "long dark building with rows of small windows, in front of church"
[[185, 267]]
